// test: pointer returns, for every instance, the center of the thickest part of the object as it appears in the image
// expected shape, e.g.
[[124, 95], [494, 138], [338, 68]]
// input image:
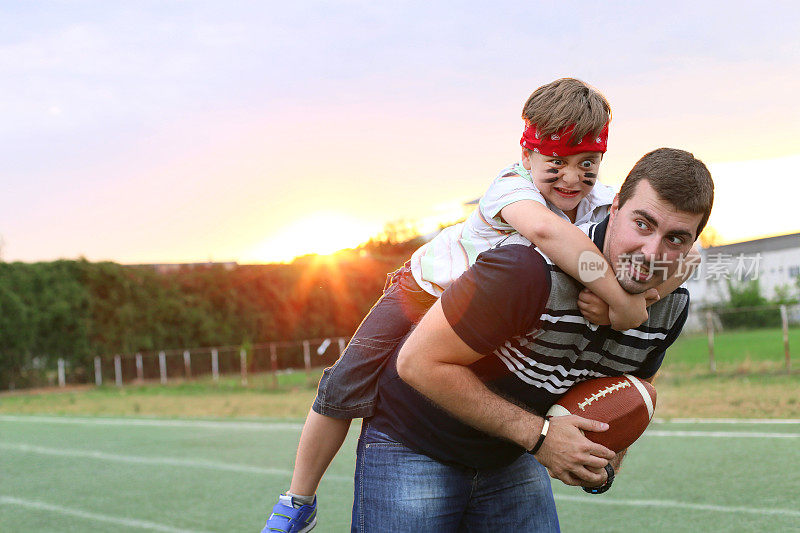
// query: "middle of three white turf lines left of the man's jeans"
[[160, 461]]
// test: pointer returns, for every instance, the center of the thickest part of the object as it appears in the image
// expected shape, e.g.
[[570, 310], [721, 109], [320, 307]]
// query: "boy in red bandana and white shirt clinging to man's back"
[[553, 187]]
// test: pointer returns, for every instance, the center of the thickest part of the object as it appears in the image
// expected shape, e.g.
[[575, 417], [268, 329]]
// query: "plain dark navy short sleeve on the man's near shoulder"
[[500, 297]]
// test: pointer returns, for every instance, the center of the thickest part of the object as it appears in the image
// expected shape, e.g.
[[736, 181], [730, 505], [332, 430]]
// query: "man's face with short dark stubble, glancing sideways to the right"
[[647, 239]]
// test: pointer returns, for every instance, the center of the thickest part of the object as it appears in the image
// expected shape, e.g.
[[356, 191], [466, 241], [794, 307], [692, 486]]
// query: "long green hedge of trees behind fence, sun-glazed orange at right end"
[[76, 310]]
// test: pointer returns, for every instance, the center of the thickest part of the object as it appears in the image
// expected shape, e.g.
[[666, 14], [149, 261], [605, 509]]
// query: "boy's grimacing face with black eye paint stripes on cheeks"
[[564, 181]]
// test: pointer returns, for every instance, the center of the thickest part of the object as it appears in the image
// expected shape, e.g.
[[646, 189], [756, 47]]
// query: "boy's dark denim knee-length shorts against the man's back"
[[349, 388]]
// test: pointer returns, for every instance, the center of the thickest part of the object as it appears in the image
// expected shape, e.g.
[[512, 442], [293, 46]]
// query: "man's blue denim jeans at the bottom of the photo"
[[399, 490]]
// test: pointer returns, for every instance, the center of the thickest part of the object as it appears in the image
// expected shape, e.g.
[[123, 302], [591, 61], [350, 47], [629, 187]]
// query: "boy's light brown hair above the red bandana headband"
[[564, 102]]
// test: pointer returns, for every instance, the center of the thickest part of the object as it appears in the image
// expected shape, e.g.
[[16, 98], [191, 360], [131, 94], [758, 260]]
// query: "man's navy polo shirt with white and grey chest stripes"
[[520, 310]]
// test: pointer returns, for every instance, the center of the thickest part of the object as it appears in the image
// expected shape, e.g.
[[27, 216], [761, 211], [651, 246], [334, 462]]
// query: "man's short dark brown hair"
[[678, 178]]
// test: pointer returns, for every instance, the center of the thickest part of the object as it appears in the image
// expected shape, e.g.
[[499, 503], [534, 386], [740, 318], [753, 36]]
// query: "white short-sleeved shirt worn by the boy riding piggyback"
[[438, 263]]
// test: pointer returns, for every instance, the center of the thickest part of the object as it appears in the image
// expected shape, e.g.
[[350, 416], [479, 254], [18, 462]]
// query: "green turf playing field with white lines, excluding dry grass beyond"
[[144, 474]]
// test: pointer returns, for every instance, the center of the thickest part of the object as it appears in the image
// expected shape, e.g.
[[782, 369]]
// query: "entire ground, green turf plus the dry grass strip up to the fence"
[[201, 456]]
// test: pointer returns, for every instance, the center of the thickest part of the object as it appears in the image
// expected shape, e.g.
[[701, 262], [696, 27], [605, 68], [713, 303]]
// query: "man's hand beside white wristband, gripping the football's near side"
[[569, 456]]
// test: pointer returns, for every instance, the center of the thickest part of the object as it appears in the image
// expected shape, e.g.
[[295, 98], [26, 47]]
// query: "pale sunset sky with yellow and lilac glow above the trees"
[[144, 132]]
